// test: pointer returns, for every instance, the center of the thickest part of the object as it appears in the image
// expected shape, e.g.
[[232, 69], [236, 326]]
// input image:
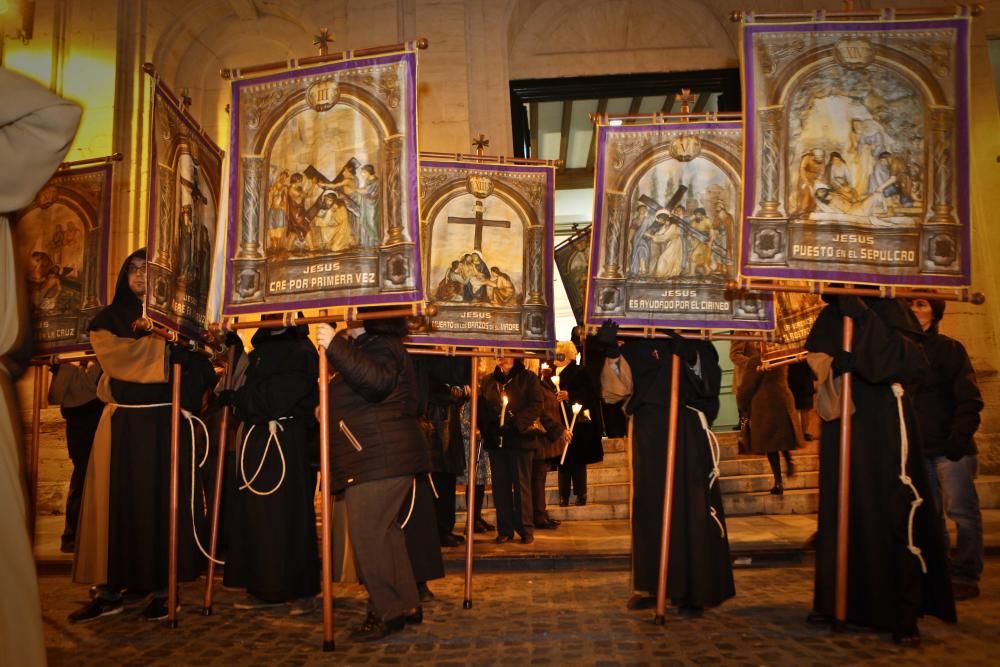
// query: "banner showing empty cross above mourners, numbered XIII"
[[487, 248]]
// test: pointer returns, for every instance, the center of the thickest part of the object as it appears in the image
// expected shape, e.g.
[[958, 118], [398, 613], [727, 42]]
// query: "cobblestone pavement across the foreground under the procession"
[[536, 617]]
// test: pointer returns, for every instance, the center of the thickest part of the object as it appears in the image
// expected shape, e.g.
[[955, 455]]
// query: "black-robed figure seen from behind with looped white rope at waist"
[[272, 538]]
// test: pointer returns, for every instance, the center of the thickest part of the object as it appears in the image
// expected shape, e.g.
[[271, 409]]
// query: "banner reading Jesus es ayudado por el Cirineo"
[[664, 235]]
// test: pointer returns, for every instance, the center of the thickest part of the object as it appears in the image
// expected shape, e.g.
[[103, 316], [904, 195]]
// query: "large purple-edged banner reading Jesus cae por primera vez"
[[323, 188]]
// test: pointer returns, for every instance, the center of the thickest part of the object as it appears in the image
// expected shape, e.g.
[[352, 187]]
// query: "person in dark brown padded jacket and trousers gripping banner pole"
[[377, 451]]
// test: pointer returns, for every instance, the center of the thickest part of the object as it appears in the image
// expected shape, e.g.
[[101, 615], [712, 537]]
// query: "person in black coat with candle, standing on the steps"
[[583, 387]]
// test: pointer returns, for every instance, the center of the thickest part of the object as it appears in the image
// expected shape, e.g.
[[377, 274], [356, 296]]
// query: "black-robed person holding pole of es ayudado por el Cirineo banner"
[[699, 572]]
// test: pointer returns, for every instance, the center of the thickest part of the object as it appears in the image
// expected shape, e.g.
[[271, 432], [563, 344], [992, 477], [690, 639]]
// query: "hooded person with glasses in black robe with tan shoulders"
[[124, 524]]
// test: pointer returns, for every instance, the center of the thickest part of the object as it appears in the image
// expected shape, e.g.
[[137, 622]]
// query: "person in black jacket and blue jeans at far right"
[[948, 403]]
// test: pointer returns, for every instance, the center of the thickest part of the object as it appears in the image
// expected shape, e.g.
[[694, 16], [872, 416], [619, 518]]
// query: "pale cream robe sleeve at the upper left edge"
[[36, 129]]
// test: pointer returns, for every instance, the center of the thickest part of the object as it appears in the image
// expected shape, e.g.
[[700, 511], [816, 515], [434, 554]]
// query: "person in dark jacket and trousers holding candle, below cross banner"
[[511, 433]]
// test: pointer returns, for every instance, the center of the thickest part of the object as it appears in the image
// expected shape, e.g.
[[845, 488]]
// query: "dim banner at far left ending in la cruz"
[[62, 244]]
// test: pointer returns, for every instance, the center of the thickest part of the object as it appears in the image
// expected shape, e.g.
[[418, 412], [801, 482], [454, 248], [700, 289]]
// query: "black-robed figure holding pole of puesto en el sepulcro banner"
[[887, 587]]
